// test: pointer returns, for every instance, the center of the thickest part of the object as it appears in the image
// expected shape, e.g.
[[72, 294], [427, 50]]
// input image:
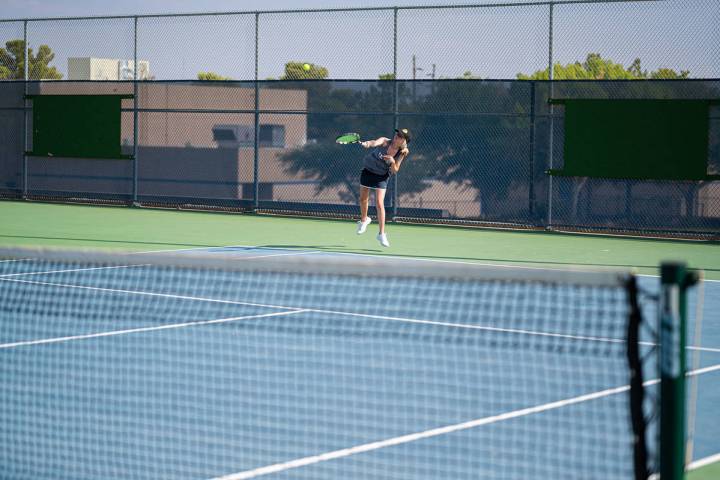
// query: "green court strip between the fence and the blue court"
[[144, 230]]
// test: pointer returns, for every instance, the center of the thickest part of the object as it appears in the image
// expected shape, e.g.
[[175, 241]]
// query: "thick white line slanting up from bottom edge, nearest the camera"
[[367, 447]]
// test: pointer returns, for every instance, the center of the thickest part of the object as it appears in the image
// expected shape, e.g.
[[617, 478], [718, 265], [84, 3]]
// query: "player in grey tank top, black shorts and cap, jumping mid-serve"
[[385, 159]]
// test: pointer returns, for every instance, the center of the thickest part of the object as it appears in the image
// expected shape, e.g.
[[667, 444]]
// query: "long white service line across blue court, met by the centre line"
[[350, 314]]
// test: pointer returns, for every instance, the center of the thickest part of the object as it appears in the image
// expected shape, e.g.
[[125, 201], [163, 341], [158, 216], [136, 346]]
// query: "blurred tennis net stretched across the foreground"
[[215, 366]]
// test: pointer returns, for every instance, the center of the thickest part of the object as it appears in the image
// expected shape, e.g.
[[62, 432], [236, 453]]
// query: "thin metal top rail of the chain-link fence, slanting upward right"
[[330, 10]]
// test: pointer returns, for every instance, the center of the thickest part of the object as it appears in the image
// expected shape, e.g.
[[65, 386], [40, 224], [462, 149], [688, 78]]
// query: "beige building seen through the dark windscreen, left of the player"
[[190, 148]]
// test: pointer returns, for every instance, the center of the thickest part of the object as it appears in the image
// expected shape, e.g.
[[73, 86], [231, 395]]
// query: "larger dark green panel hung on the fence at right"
[[636, 139]]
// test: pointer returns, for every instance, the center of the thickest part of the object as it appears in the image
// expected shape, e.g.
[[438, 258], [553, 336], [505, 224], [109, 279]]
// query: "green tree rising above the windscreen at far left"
[[12, 62]]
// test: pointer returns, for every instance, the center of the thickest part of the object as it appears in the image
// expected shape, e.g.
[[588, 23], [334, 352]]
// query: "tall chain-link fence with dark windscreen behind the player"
[[480, 148]]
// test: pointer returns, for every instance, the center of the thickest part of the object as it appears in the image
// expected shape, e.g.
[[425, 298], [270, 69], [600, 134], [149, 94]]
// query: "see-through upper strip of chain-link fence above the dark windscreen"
[[660, 38]]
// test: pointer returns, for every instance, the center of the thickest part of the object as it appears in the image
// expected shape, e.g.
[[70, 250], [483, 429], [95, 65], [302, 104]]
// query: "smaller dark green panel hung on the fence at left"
[[85, 126]]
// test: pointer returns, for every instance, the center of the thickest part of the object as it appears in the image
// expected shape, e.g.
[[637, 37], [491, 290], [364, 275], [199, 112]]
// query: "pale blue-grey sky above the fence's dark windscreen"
[[492, 42]]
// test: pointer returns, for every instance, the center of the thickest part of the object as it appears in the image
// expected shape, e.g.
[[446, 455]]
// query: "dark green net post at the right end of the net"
[[672, 320]]
